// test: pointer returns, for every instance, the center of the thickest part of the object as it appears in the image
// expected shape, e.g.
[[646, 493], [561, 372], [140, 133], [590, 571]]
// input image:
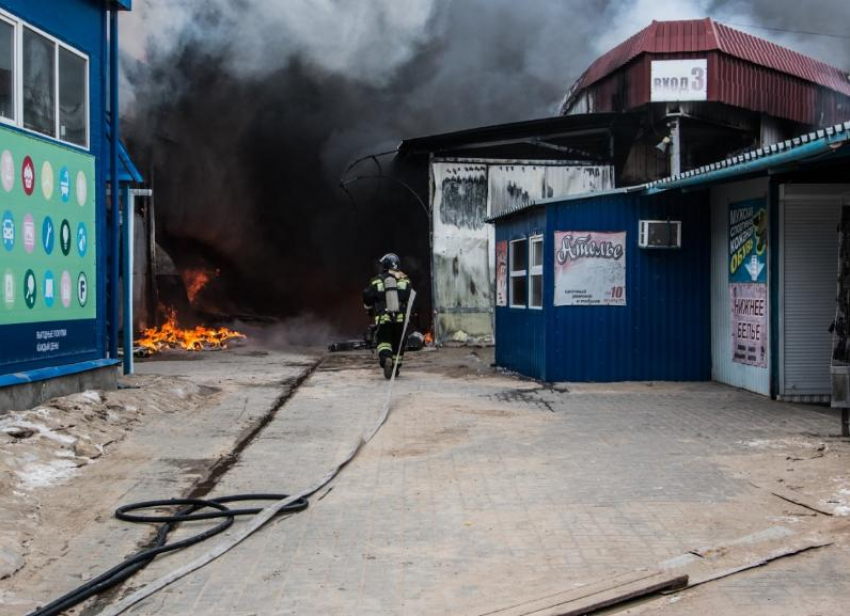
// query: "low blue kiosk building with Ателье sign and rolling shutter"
[[727, 272]]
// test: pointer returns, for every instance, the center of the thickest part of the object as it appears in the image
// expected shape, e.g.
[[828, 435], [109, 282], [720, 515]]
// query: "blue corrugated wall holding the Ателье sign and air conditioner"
[[663, 331]]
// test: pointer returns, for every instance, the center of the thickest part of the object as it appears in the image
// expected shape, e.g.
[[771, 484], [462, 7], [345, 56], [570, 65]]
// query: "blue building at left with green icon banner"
[[59, 282]]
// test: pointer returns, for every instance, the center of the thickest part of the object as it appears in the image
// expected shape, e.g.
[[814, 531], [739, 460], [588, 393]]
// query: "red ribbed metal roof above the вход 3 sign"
[[702, 35]]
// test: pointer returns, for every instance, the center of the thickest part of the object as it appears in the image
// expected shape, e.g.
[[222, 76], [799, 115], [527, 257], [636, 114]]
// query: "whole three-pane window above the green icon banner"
[[44, 84]]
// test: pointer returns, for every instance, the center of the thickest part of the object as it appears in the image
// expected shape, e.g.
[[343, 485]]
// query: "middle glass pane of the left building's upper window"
[[39, 83]]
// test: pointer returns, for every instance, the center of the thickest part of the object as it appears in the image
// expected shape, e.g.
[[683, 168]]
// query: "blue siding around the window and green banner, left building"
[[80, 24]]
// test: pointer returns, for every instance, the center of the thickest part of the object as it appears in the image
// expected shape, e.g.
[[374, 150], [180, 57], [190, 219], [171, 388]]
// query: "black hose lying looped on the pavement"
[[141, 559]]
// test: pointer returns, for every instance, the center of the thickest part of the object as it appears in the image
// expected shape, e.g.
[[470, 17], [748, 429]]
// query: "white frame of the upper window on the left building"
[[18, 78]]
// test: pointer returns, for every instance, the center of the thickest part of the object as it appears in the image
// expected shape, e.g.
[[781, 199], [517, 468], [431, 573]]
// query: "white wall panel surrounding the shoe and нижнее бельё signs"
[[723, 369]]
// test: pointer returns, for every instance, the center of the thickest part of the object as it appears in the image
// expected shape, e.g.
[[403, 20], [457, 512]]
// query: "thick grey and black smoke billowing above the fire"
[[251, 109]]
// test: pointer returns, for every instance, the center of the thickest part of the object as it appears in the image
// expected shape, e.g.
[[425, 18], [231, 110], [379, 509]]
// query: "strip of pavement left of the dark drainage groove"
[[169, 453]]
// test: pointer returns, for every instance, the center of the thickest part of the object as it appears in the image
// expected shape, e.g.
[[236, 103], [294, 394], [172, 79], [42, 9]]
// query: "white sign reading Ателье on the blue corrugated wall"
[[590, 268]]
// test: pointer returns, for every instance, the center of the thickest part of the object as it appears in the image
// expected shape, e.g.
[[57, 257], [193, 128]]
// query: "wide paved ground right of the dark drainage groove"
[[483, 489]]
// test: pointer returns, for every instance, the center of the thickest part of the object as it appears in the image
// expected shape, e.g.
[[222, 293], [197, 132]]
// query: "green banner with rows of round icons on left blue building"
[[48, 276]]
